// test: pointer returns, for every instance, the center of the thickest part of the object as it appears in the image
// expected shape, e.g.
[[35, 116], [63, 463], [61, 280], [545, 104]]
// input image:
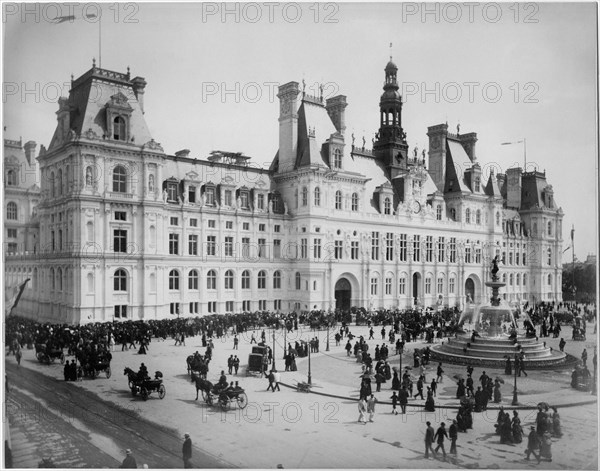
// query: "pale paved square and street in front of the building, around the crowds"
[[268, 432]]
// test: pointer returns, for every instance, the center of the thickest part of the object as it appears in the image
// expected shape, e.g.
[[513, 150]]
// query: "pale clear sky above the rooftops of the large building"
[[509, 72]]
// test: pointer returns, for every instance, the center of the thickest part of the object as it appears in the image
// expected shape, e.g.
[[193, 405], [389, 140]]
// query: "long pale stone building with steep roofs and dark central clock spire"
[[118, 229]]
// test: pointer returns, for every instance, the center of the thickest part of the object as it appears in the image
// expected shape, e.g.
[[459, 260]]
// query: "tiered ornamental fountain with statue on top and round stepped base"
[[494, 336]]
